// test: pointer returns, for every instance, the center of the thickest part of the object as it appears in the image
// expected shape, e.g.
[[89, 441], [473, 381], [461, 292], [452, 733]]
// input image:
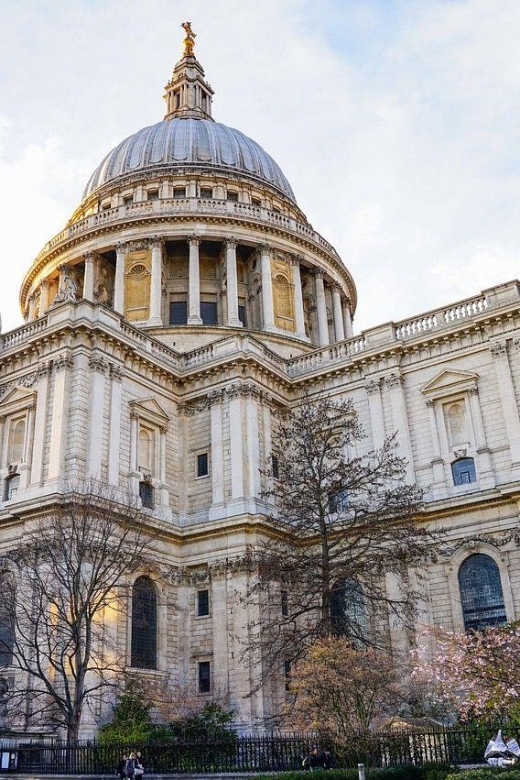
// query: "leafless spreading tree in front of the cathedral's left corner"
[[66, 590]]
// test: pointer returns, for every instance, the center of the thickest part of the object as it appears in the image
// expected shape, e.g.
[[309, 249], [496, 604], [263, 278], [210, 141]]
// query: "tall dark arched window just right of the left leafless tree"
[[144, 624]]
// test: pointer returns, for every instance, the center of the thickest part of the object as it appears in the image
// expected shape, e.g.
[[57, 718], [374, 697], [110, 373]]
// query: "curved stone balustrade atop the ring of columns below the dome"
[[198, 206]]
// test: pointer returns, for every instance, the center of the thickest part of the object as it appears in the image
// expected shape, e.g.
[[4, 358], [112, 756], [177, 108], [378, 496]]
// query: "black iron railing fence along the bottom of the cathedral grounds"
[[252, 754]]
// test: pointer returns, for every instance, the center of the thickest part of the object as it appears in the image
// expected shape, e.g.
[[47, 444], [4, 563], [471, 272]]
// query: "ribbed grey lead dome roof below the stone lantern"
[[188, 142]]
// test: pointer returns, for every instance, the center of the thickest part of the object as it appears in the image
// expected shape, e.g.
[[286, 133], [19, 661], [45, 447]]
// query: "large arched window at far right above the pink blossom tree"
[[481, 593]]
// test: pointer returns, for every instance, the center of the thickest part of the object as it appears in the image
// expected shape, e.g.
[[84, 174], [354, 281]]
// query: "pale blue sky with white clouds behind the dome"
[[397, 123]]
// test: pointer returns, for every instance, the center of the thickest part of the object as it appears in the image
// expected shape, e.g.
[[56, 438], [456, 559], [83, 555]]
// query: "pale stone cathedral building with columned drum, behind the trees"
[[182, 303]]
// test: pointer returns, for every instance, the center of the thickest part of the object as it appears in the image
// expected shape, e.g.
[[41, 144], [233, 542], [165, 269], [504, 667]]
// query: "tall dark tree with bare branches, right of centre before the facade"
[[343, 523]]
